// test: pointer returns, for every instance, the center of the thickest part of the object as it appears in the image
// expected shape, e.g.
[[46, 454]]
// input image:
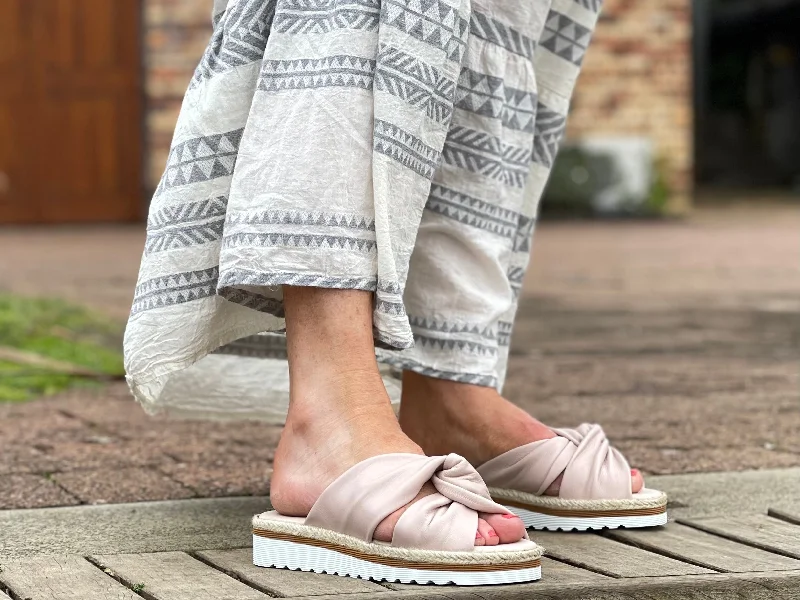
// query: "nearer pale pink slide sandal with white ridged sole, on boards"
[[433, 541]]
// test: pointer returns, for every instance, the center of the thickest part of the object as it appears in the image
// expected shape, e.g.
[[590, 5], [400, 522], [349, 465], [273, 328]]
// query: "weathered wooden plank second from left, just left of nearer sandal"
[[175, 576]]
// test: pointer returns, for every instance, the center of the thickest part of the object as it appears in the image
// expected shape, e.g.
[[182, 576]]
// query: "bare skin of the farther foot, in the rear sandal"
[[479, 424]]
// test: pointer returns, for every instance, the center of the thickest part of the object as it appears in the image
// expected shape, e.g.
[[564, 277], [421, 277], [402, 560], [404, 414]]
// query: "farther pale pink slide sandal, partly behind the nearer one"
[[595, 490]]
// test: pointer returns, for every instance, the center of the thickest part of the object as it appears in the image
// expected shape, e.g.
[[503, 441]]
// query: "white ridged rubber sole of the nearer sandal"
[[282, 554]]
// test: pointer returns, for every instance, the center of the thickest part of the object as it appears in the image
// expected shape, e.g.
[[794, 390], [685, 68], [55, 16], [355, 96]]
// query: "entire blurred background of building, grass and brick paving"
[[665, 272]]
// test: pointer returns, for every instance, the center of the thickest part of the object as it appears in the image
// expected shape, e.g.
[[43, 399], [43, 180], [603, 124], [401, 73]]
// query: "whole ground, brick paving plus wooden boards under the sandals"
[[682, 338]]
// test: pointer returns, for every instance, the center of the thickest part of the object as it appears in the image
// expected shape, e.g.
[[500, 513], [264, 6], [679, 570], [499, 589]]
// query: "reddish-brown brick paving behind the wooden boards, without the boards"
[[681, 338]]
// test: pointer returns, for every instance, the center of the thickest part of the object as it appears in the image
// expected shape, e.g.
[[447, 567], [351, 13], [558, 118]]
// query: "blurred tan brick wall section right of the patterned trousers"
[[636, 80]]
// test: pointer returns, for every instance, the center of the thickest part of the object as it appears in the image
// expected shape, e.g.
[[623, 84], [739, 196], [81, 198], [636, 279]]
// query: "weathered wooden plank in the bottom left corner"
[[61, 578]]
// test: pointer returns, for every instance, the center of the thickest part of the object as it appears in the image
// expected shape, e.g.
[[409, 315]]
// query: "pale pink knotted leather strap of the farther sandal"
[[592, 469]]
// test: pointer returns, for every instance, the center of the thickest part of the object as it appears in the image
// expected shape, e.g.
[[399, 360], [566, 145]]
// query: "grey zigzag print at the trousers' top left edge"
[[239, 38]]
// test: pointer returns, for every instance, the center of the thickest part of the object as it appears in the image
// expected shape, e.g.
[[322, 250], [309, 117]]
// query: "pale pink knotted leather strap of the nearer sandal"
[[367, 493]]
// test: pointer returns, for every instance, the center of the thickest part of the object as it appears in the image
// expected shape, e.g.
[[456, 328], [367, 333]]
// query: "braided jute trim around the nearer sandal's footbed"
[[497, 557]]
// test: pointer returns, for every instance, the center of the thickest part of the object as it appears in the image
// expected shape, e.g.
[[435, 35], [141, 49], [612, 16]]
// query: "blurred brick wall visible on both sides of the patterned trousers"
[[636, 78]]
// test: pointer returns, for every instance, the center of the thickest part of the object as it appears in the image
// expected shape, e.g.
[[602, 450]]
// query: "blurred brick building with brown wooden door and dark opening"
[[680, 101]]
